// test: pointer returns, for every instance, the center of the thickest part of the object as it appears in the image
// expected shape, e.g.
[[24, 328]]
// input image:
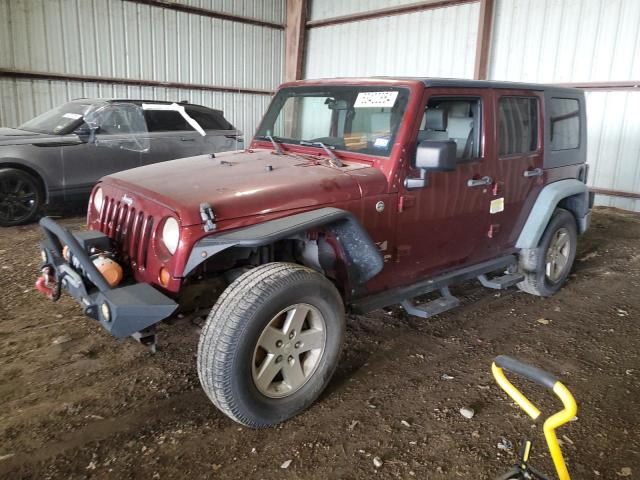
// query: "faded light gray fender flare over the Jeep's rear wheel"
[[576, 195]]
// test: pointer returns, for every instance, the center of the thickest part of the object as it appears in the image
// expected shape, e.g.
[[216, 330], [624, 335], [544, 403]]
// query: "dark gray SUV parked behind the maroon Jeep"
[[57, 157]]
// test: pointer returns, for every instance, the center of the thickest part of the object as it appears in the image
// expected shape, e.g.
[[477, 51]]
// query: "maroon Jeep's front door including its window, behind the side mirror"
[[444, 224]]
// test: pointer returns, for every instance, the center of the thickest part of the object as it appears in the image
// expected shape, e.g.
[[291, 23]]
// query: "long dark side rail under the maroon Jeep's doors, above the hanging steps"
[[402, 294]]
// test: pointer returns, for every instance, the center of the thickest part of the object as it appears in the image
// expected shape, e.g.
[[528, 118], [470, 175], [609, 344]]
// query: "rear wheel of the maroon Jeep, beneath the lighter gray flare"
[[547, 267]]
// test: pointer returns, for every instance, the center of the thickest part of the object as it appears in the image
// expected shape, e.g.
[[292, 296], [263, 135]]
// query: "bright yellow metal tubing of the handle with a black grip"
[[552, 423]]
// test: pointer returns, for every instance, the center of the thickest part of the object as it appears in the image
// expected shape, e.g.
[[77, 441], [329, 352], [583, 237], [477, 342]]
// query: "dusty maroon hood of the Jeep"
[[244, 183]]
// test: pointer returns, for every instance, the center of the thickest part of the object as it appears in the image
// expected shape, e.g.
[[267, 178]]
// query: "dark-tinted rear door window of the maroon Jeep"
[[517, 125]]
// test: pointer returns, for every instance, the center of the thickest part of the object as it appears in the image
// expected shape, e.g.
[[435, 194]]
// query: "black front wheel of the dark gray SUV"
[[20, 197]]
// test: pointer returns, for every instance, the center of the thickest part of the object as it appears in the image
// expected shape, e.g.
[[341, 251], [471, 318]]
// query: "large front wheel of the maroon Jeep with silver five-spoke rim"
[[271, 343]]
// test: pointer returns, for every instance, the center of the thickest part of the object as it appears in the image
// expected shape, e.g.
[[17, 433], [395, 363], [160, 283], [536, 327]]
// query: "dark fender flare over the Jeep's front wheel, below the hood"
[[364, 260]]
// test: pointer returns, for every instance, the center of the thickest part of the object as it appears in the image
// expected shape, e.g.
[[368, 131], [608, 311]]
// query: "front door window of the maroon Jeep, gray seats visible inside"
[[457, 119]]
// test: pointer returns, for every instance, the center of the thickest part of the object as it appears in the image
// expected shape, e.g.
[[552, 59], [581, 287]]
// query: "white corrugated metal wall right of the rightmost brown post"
[[556, 41]]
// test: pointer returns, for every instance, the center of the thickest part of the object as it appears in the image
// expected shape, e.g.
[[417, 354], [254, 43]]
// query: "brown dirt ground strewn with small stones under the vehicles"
[[77, 403]]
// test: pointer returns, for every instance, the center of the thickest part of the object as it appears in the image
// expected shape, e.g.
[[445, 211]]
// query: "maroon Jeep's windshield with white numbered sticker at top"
[[356, 119]]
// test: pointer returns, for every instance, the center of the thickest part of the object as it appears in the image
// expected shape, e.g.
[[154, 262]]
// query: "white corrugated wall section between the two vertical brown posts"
[[438, 43]]
